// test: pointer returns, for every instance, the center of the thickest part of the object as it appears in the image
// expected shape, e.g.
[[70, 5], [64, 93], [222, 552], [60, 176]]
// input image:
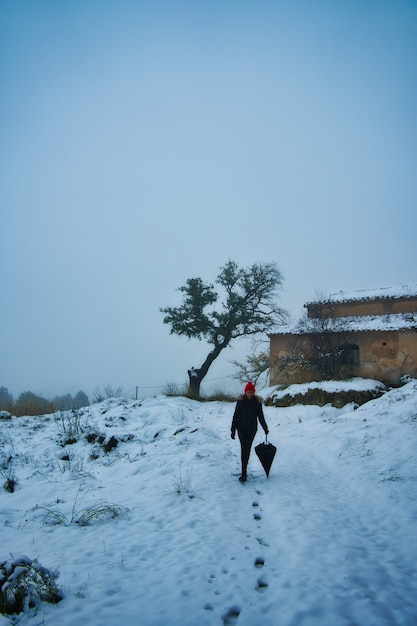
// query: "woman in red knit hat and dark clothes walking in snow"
[[245, 420]]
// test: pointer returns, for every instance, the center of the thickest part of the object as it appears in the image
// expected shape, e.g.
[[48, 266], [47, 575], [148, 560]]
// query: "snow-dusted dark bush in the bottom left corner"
[[24, 583]]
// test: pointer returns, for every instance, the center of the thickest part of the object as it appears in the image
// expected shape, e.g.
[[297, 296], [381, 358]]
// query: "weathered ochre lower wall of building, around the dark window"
[[384, 356]]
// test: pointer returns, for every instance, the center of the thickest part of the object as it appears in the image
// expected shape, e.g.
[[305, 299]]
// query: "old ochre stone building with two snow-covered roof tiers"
[[371, 333]]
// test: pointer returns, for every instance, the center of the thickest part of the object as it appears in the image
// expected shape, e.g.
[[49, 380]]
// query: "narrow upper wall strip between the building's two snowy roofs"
[[364, 307]]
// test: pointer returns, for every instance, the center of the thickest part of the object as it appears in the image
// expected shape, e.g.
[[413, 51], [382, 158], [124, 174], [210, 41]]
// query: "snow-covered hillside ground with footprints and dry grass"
[[329, 539]]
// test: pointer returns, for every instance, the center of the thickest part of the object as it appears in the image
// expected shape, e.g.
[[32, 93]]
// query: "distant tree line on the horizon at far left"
[[29, 403]]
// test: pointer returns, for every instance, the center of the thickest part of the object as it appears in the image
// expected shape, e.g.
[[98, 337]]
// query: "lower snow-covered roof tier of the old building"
[[358, 323]]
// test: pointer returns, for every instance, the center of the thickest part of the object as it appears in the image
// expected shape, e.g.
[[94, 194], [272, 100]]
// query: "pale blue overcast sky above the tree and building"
[[143, 143]]
